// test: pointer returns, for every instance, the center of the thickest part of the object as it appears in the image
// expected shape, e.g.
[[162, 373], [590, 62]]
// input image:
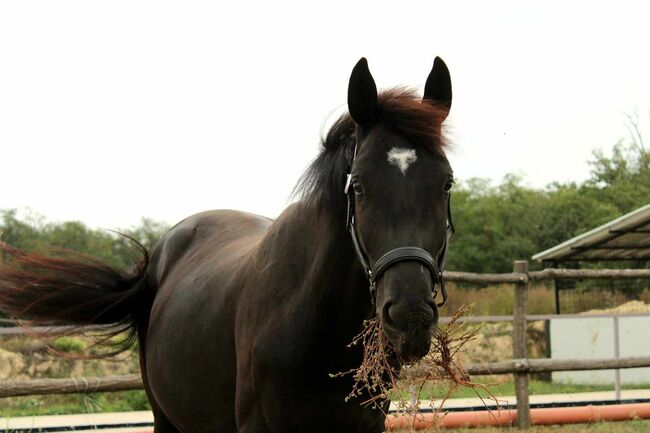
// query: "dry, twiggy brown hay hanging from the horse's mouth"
[[383, 376]]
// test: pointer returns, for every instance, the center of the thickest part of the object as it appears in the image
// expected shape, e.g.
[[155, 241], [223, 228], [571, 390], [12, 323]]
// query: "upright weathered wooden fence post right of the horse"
[[519, 345]]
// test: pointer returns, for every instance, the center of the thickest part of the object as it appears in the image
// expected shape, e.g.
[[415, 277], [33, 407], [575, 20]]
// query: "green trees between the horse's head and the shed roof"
[[498, 224]]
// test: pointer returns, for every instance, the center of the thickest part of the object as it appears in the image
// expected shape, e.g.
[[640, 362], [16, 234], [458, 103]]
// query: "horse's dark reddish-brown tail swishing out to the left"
[[73, 290]]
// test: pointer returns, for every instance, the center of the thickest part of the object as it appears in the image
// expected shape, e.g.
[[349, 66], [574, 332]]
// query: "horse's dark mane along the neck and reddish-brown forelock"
[[402, 110]]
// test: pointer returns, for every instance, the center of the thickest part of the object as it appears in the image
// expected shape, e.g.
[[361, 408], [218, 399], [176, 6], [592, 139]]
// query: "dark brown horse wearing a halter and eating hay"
[[241, 320]]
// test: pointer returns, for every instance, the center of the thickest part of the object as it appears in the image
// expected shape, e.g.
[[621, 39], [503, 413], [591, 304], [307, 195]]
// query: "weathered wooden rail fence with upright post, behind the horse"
[[520, 366]]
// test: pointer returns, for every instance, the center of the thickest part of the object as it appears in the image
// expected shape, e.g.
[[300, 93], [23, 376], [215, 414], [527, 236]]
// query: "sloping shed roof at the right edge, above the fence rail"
[[625, 238]]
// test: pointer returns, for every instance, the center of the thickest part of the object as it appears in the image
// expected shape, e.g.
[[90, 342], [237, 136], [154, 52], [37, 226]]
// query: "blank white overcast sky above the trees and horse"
[[113, 111]]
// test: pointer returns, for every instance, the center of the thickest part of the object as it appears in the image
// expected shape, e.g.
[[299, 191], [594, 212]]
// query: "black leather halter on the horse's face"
[[399, 254]]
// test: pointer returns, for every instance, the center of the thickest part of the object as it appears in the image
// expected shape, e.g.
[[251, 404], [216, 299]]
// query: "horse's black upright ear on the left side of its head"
[[362, 94]]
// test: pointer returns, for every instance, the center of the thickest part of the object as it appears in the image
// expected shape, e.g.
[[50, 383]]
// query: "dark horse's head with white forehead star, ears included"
[[398, 193]]
